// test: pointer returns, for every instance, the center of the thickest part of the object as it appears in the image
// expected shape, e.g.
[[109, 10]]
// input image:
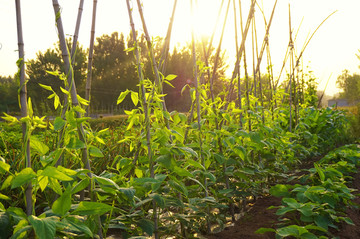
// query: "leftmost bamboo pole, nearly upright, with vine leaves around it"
[[23, 104]]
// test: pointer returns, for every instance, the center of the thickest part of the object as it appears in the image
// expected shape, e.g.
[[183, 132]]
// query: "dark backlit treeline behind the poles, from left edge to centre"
[[114, 71]]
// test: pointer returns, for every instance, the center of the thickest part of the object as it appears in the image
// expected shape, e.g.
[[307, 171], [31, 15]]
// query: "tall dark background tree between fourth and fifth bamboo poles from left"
[[113, 72]]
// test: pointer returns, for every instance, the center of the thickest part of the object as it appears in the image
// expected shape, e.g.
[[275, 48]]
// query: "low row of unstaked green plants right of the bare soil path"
[[322, 199]]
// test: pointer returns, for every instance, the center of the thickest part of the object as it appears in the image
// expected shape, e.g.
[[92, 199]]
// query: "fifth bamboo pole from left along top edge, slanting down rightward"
[[146, 111]]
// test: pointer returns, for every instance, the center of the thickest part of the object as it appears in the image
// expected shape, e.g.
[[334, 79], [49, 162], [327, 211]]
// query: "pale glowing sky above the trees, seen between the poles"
[[332, 49]]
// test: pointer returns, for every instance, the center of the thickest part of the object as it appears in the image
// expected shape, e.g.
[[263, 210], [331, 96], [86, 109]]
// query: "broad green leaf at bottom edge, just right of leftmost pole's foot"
[[44, 227]]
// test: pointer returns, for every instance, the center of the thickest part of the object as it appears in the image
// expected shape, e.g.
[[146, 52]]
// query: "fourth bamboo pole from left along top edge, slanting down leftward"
[[90, 59]]
